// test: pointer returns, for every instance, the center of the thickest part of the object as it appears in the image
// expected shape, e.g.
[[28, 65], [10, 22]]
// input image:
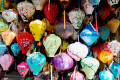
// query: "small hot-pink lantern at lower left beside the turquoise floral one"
[[23, 68]]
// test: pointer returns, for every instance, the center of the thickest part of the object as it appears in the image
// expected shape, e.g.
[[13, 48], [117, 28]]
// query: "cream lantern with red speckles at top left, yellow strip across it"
[[26, 10]]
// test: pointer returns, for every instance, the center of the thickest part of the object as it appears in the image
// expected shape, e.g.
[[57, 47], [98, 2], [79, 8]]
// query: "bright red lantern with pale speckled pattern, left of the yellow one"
[[24, 40]]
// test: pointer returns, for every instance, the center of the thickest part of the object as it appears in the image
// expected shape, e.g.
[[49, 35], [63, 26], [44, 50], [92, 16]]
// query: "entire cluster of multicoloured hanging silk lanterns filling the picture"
[[56, 39]]
